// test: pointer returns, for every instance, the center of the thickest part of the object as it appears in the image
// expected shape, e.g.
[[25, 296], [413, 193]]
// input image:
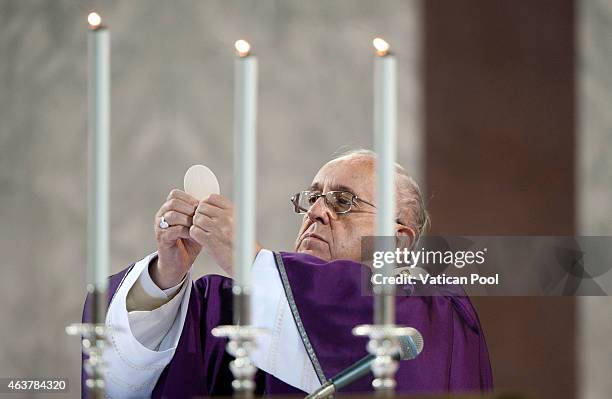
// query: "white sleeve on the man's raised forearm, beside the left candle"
[[141, 343]]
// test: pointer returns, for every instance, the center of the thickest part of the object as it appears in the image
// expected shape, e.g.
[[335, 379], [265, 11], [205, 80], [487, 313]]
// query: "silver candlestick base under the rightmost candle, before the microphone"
[[384, 344]]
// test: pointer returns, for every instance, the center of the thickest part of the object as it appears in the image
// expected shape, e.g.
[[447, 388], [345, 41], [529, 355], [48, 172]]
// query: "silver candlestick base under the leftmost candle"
[[93, 342]]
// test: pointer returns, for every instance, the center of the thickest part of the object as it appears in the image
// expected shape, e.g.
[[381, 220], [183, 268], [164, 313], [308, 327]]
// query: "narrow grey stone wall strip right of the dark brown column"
[[594, 185]]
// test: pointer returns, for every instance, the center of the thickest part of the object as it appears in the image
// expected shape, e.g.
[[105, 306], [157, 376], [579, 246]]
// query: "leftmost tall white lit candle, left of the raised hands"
[[99, 149]]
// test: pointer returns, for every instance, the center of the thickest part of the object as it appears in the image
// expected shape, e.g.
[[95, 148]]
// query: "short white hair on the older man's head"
[[410, 202]]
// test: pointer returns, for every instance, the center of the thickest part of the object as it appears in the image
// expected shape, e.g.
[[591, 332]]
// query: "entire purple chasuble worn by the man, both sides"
[[327, 301]]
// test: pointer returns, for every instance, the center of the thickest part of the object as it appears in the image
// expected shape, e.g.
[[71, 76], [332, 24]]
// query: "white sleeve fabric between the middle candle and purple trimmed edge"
[[280, 351]]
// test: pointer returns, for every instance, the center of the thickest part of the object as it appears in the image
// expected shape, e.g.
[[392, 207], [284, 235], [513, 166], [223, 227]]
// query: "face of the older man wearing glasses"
[[327, 235]]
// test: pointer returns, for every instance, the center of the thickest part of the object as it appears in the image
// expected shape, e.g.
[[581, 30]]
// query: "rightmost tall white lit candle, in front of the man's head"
[[385, 132]]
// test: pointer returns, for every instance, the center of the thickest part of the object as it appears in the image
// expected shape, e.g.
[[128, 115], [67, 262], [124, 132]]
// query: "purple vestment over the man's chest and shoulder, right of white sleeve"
[[330, 302]]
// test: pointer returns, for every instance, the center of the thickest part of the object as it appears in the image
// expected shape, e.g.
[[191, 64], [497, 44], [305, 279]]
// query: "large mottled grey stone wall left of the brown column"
[[171, 107]]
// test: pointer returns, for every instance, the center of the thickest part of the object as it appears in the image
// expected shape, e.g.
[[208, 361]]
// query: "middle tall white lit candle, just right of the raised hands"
[[245, 160]]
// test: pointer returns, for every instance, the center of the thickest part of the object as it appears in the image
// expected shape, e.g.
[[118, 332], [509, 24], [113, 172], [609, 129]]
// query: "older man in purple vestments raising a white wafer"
[[308, 300]]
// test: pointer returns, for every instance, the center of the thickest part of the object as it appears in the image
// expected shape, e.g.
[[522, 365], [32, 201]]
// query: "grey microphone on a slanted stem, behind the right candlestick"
[[410, 347]]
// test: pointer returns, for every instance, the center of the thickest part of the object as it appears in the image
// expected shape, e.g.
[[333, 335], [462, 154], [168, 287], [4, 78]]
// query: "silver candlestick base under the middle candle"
[[241, 344]]
